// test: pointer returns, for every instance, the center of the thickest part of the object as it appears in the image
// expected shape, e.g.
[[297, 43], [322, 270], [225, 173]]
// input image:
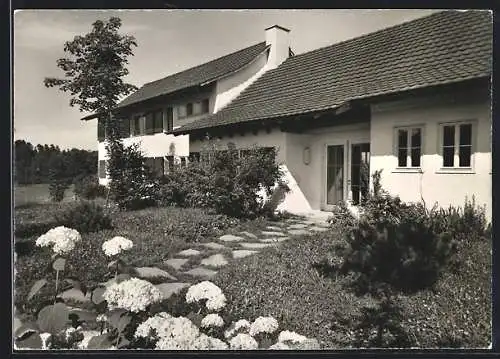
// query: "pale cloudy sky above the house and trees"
[[169, 41]]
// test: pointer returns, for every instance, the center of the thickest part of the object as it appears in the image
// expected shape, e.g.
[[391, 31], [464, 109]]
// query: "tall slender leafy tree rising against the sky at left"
[[94, 72]]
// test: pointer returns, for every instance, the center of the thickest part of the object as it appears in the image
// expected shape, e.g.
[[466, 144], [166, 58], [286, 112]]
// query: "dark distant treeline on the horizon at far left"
[[32, 164]]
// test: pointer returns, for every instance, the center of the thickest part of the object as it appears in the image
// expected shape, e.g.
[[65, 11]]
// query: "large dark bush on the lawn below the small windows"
[[395, 243]]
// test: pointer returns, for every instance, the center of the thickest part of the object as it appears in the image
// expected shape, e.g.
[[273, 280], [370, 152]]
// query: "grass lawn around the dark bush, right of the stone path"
[[283, 282]]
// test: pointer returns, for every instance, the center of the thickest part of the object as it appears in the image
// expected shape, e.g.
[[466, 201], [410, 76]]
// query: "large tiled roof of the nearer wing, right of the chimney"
[[441, 48]]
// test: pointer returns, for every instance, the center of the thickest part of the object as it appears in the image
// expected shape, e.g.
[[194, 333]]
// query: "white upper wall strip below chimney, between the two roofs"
[[229, 87]]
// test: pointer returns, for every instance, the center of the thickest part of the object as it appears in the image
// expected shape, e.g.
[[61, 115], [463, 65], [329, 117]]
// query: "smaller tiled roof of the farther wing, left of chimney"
[[198, 75]]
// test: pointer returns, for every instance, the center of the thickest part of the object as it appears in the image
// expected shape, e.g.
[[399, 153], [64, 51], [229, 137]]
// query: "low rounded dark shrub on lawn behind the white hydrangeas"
[[85, 217]]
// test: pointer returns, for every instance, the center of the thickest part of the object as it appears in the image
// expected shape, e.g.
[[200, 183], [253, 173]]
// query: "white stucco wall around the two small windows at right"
[[433, 184]]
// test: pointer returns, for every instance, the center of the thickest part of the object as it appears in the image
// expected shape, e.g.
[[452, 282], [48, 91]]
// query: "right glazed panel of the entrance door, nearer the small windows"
[[360, 172]]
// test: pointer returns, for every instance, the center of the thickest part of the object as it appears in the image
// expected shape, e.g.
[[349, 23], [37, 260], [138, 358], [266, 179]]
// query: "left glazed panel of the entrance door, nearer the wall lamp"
[[334, 174]]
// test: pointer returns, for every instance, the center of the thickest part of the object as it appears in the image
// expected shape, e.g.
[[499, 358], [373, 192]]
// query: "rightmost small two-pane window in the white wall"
[[456, 147]]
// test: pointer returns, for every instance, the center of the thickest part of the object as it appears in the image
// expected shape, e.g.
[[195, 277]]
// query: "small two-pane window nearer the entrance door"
[[409, 146]]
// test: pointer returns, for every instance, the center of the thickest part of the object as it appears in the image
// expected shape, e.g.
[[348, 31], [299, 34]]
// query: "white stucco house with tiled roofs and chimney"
[[412, 100]]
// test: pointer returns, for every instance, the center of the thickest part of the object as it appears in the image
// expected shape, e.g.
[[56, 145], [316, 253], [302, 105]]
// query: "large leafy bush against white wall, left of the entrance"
[[225, 182]]
